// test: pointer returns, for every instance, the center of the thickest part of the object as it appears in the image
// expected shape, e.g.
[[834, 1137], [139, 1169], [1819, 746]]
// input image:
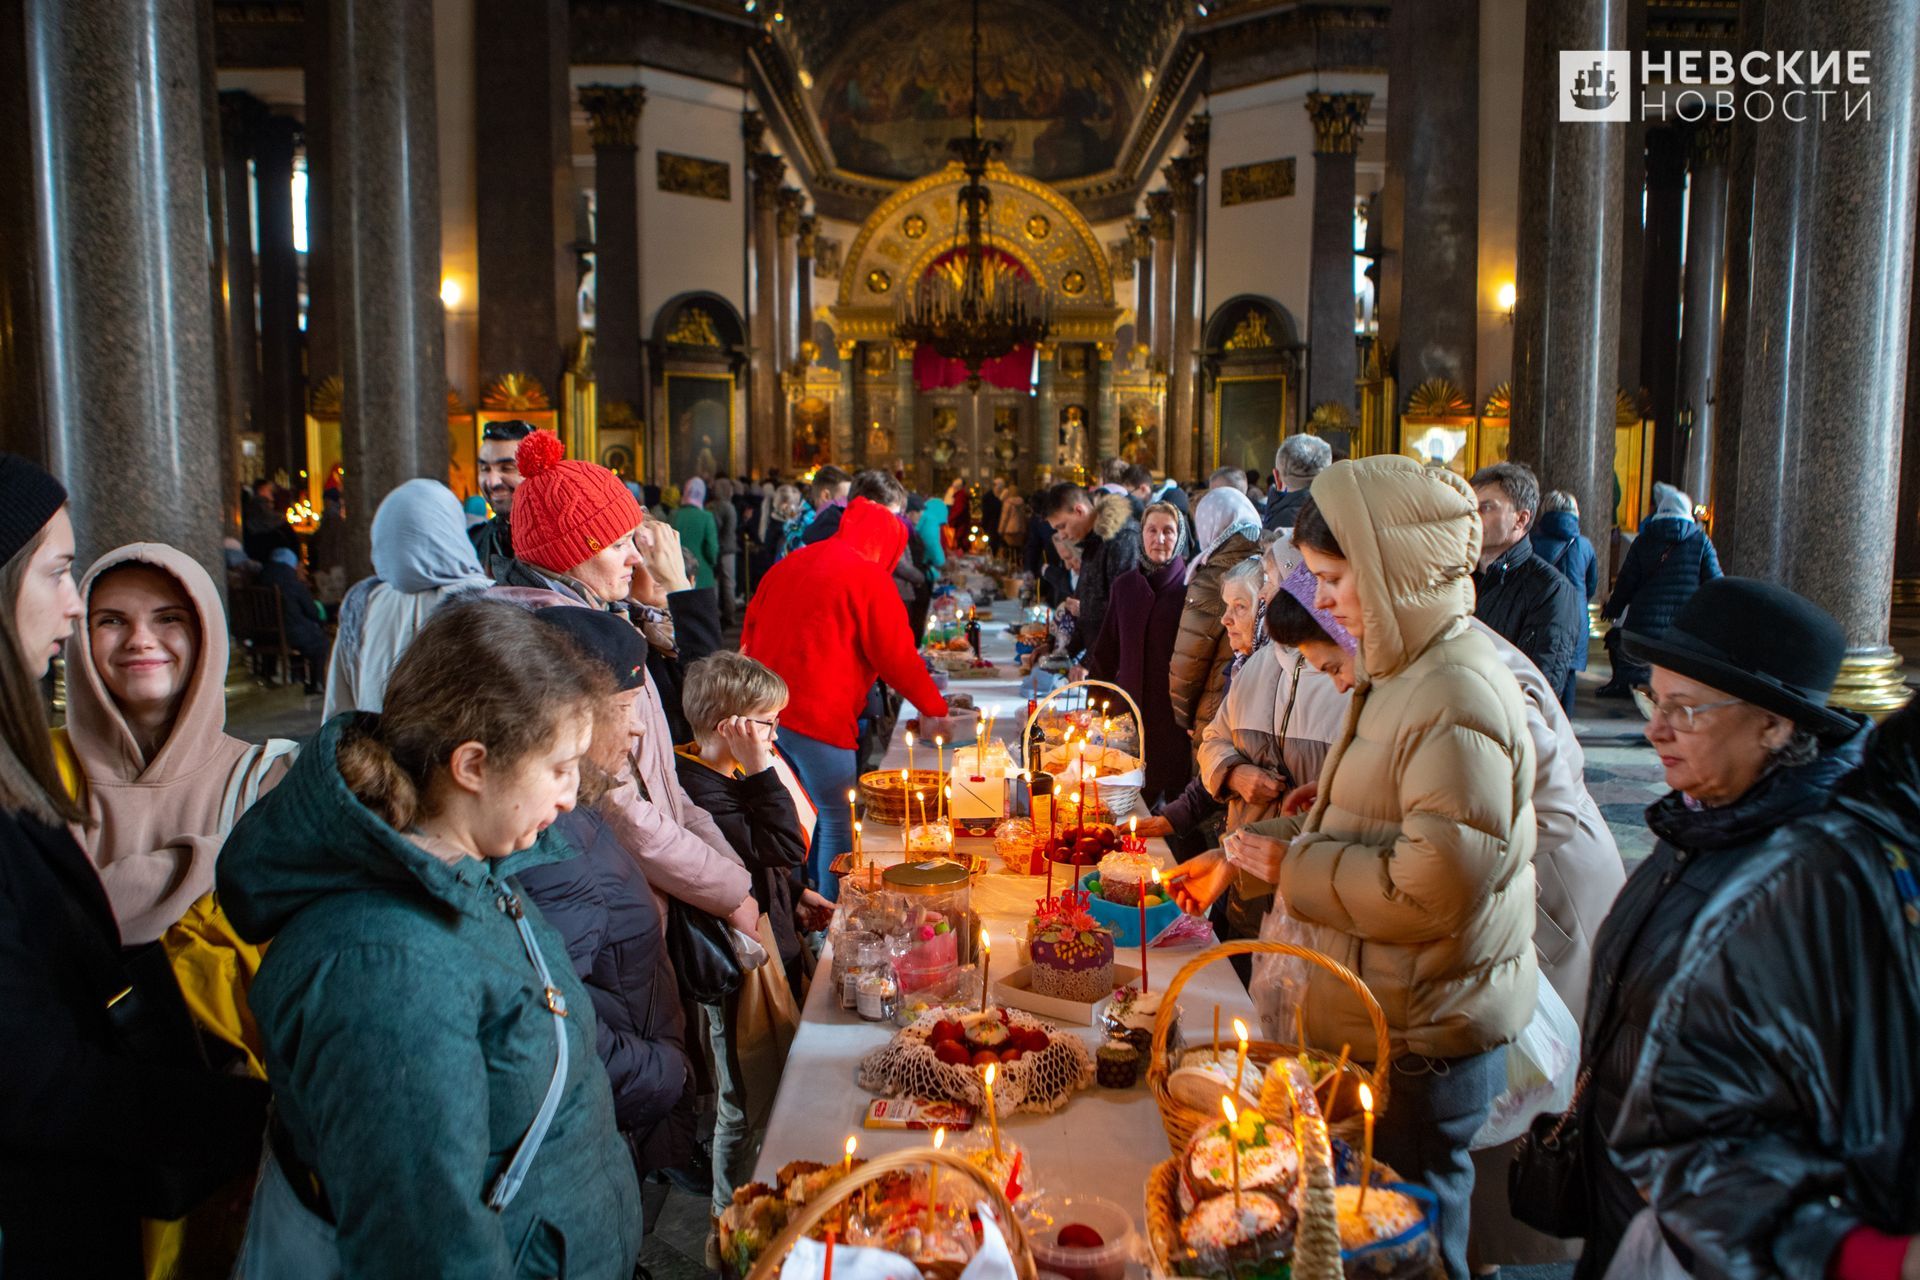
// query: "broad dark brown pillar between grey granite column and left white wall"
[[527, 172]]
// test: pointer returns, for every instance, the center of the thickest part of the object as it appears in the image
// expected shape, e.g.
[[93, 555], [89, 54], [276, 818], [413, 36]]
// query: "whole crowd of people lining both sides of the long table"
[[468, 980]]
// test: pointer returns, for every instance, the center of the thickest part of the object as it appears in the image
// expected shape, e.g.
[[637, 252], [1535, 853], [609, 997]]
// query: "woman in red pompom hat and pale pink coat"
[[577, 540]]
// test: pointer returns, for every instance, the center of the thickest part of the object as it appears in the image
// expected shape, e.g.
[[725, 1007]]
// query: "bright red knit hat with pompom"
[[567, 511]]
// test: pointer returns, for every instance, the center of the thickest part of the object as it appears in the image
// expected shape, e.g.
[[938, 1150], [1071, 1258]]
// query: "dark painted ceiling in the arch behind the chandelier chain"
[[894, 89]]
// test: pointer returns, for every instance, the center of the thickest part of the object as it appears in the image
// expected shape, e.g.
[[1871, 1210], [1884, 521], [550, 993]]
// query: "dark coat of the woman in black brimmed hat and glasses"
[[1700, 851]]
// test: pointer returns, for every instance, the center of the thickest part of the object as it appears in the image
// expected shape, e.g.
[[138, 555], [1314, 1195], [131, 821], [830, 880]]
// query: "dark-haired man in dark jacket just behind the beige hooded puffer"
[[1524, 598]]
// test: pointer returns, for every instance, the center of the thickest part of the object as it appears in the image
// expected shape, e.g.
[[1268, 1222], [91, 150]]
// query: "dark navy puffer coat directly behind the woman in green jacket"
[[602, 907]]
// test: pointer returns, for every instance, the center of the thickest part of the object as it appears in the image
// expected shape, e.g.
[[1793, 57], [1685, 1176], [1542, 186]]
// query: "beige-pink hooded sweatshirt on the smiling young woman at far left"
[[156, 824]]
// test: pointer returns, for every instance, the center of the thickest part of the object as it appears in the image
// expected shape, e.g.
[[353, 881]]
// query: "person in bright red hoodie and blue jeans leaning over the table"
[[828, 621]]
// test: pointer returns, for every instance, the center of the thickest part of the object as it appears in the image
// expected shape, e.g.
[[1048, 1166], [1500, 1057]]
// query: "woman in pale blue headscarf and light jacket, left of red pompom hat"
[[421, 559]]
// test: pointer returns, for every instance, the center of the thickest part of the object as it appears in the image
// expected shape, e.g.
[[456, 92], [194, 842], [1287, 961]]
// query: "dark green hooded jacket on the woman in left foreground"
[[410, 1049]]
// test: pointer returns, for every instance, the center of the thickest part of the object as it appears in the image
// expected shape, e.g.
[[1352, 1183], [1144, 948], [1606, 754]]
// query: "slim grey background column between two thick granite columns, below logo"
[[1700, 314]]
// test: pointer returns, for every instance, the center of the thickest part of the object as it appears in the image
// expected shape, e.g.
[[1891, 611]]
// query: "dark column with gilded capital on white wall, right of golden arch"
[[1333, 360]]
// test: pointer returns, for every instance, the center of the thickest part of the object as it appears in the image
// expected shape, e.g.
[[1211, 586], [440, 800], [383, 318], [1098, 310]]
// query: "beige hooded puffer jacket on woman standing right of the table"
[[1416, 865]]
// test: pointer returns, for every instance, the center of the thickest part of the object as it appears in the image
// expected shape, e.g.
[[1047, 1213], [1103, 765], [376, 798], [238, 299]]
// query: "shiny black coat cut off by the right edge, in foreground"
[[1779, 1097]]
